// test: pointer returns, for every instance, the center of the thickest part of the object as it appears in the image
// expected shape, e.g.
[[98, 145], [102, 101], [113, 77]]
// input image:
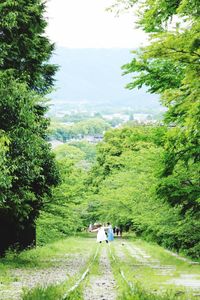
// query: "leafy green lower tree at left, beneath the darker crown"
[[29, 162]]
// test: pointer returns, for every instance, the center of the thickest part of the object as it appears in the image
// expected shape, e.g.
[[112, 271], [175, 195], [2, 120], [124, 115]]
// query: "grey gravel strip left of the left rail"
[[62, 269]]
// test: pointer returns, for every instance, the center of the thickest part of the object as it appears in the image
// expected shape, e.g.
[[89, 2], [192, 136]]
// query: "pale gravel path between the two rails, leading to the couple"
[[101, 286]]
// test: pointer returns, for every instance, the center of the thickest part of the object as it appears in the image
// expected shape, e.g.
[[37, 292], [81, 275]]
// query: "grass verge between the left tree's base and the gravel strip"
[[43, 257]]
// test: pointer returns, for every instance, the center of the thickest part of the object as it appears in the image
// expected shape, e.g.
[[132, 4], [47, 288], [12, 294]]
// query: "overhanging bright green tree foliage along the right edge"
[[169, 66]]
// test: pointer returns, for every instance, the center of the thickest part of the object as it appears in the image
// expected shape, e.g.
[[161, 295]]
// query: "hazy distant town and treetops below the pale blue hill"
[[83, 121]]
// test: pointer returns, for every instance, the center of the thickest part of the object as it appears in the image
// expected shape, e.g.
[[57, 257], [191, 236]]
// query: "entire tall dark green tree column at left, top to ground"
[[26, 76]]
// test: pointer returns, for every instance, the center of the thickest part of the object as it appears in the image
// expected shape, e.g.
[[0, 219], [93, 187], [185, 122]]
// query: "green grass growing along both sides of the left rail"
[[56, 292]]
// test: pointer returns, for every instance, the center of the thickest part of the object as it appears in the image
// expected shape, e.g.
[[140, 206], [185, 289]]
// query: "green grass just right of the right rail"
[[142, 283]]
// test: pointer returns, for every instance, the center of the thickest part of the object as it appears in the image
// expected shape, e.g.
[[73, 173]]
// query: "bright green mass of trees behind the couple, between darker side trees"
[[123, 185]]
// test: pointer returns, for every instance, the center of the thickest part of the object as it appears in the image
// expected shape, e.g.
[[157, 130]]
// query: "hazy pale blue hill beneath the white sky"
[[94, 75]]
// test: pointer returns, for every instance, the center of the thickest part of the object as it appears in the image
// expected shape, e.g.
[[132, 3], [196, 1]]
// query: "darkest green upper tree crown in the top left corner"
[[24, 47]]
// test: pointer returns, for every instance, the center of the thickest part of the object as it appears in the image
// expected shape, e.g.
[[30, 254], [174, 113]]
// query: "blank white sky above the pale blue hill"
[[86, 24]]
